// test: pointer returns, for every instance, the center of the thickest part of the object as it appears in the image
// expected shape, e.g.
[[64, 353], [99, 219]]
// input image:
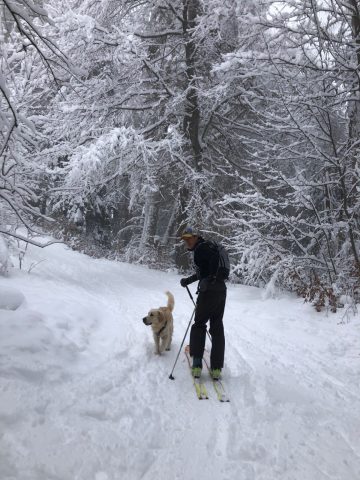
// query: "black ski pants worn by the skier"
[[210, 305]]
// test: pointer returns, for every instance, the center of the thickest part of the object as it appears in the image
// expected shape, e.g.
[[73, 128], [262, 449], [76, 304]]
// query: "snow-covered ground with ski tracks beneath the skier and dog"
[[83, 397]]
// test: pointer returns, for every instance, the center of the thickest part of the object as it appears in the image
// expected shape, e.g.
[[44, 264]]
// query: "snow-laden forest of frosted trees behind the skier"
[[122, 121]]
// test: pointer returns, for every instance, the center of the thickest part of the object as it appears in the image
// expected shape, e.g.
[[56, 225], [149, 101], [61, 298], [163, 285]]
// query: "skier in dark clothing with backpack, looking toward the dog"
[[210, 304]]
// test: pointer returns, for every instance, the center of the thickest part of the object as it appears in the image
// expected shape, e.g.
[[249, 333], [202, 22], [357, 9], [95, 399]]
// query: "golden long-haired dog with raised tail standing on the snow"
[[162, 324]]
